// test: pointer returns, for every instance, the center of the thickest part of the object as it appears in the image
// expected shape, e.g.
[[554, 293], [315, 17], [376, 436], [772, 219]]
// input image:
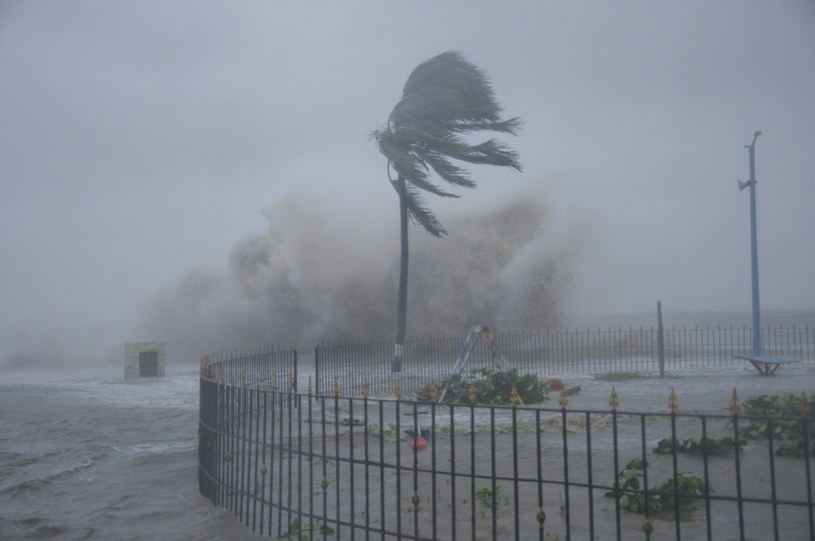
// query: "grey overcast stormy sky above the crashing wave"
[[140, 140]]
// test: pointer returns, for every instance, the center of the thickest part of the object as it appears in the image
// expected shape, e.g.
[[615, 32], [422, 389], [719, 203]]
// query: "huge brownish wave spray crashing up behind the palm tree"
[[313, 275]]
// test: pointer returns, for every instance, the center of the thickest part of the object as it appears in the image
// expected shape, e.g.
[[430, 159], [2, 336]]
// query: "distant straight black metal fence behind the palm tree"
[[554, 353]]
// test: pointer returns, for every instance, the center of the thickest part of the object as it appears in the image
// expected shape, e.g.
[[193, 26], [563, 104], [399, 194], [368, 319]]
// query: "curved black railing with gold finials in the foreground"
[[297, 465]]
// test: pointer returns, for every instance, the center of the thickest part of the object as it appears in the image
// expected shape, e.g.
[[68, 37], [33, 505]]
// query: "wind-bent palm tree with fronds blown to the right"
[[444, 101]]
